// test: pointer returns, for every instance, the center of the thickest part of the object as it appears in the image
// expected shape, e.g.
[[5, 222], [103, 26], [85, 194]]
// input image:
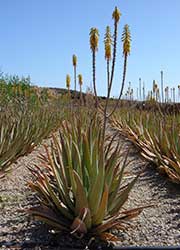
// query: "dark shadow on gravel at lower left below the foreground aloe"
[[35, 235]]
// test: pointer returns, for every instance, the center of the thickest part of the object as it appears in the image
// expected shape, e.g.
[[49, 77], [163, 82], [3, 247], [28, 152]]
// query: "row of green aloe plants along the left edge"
[[21, 133]]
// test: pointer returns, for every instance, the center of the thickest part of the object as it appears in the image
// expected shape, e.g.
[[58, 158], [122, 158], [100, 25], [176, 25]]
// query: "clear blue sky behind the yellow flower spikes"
[[39, 37]]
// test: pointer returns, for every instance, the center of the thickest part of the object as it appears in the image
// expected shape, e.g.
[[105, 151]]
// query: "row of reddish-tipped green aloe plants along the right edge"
[[156, 135]]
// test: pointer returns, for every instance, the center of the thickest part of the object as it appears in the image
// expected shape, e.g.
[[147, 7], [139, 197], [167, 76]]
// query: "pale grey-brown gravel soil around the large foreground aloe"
[[155, 226]]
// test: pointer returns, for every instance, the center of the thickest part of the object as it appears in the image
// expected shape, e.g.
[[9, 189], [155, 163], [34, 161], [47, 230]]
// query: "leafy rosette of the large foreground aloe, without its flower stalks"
[[80, 190]]
